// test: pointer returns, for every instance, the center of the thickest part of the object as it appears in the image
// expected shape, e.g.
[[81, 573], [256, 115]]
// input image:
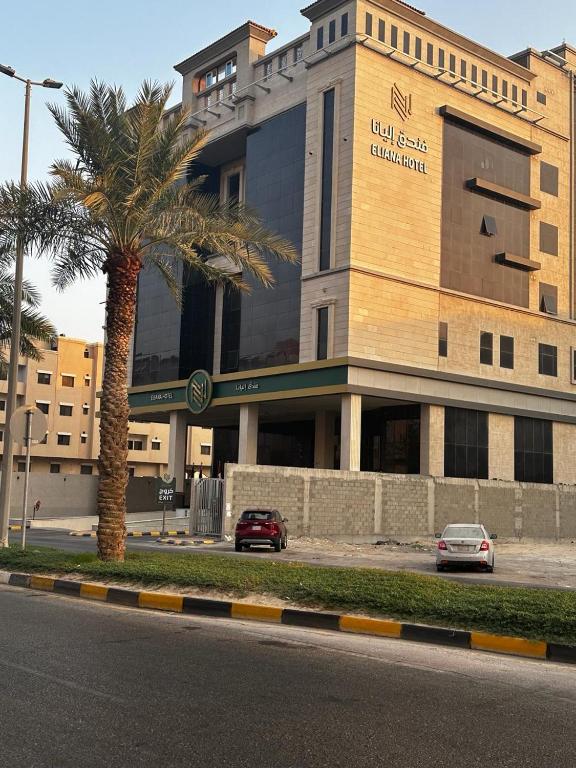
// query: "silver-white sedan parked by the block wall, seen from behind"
[[465, 544]]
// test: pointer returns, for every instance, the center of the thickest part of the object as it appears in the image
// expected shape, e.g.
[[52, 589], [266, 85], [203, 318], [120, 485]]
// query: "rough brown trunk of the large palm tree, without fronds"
[[122, 271]]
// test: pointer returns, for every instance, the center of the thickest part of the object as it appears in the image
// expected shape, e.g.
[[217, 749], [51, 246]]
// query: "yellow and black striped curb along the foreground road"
[[161, 601]]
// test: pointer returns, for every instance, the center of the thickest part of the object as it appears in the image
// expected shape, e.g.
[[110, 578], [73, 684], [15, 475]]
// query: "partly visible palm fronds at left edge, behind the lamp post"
[[35, 327]]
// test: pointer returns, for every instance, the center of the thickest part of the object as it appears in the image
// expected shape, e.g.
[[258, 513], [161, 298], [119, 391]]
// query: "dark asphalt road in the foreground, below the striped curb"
[[85, 685]]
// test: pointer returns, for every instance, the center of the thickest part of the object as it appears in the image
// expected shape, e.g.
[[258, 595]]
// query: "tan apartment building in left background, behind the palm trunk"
[[64, 385]]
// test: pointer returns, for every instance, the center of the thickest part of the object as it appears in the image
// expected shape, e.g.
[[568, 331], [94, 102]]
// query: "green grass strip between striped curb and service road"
[[532, 613]]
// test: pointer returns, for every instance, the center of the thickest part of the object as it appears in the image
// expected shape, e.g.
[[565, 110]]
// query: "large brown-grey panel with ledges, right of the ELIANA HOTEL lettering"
[[468, 249]]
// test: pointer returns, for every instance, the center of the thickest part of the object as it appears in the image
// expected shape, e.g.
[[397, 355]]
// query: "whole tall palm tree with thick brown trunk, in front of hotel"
[[124, 202]]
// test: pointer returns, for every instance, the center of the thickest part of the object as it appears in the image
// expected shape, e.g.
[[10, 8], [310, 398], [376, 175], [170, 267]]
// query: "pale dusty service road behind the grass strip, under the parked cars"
[[513, 570]]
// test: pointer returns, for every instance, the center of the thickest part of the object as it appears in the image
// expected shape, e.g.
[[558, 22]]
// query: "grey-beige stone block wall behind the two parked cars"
[[364, 506]]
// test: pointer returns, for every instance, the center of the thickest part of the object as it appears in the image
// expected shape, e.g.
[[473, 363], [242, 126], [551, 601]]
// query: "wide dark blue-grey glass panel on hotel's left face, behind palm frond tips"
[[270, 318]]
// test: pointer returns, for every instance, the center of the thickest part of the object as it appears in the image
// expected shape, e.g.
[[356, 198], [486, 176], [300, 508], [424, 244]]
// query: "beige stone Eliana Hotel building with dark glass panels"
[[429, 185]]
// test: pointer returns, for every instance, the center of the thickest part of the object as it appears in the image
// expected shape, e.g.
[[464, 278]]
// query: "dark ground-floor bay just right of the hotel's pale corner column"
[[391, 440]]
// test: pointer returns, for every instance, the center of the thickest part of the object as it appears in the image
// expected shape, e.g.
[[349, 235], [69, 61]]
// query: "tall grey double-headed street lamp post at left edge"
[[8, 458]]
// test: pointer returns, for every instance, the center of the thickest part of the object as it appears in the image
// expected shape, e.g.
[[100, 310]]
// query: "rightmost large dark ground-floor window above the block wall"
[[533, 450]]
